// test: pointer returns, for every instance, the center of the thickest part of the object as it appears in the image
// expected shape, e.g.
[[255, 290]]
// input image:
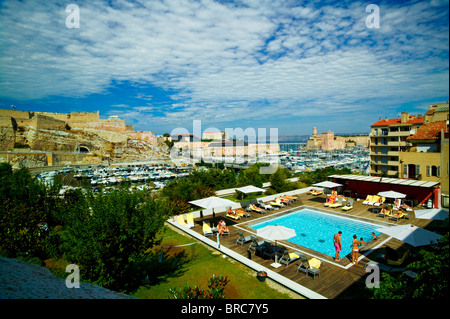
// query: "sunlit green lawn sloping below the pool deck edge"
[[204, 263]]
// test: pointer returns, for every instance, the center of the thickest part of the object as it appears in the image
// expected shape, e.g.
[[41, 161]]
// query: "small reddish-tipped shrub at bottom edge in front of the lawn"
[[216, 287]]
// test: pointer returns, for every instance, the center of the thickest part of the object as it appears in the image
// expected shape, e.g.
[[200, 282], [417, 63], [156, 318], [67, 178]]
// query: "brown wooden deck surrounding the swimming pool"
[[335, 277]]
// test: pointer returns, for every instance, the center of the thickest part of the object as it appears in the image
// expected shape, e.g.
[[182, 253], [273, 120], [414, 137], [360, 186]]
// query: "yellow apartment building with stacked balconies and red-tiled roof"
[[387, 138]]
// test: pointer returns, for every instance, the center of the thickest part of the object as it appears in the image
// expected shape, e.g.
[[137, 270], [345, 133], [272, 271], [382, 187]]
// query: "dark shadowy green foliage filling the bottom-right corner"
[[431, 282]]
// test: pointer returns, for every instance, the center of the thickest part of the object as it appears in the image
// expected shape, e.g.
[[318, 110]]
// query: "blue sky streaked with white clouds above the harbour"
[[290, 65]]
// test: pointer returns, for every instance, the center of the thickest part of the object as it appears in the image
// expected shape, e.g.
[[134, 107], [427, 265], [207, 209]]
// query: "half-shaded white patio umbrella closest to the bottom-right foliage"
[[411, 234]]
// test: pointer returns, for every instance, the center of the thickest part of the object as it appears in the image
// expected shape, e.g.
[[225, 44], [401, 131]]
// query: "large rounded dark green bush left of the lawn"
[[108, 235]]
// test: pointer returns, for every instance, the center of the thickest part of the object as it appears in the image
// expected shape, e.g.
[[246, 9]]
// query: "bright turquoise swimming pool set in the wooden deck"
[[315, 230]]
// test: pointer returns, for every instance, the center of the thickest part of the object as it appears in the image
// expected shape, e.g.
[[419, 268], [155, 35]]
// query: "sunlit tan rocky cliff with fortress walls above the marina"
[[21, 133]]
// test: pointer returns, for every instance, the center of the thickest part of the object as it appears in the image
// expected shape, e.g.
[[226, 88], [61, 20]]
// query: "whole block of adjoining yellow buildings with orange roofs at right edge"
[[413, 147]]
